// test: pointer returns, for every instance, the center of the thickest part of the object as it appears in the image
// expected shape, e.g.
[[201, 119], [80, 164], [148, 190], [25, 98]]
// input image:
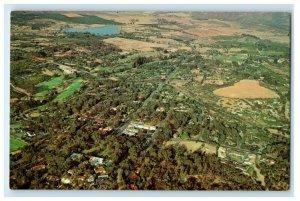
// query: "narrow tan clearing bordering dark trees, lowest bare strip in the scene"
[[193, 146]]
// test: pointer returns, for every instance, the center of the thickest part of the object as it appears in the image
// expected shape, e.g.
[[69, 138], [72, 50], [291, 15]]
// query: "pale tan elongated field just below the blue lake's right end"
[[130, 44]]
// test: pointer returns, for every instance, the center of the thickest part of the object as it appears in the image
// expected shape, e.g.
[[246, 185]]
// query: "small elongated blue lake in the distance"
[[106, 30]]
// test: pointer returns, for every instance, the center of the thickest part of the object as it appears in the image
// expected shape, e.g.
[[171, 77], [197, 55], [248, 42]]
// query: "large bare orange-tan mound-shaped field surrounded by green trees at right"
[[246, 89]]
